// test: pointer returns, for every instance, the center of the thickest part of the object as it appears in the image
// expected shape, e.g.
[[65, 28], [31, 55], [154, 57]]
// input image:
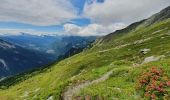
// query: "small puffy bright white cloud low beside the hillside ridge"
[[92, 29]]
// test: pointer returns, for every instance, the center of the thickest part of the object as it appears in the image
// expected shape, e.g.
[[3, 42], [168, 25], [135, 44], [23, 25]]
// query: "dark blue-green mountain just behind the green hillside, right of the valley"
[[70, 45]]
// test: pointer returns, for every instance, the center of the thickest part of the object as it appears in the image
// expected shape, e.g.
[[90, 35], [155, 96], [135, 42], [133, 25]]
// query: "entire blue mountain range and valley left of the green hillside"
[[25, 52]]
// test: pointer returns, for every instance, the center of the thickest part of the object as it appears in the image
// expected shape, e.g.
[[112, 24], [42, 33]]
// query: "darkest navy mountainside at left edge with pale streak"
[[15, 59]]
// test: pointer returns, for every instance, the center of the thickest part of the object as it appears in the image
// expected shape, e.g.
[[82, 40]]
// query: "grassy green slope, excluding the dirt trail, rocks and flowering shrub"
[[93, 63]]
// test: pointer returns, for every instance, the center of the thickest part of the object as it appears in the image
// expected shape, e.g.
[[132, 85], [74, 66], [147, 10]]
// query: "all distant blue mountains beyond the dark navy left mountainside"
[[52, 45]]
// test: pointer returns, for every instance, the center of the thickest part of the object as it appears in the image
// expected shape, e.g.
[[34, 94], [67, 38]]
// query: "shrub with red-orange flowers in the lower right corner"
[[154, 84]]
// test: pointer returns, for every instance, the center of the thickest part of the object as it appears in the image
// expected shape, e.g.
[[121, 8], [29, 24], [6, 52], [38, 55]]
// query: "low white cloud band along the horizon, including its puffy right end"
[[69, 29]]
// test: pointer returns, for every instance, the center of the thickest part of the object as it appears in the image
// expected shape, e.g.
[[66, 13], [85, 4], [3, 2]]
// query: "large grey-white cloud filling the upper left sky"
[[37, 12]]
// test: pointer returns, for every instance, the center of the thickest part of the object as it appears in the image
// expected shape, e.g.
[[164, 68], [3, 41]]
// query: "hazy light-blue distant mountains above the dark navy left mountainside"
[[38, 43]]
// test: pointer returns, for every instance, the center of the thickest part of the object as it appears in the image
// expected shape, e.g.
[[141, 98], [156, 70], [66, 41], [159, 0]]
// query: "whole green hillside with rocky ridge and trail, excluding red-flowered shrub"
[[109, 70]]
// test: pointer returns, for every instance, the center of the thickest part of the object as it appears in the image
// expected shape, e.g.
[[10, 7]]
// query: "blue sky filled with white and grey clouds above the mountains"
[[73, 17]]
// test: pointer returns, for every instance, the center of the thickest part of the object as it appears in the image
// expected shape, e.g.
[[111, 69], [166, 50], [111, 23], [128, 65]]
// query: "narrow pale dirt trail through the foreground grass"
[[69, 93]]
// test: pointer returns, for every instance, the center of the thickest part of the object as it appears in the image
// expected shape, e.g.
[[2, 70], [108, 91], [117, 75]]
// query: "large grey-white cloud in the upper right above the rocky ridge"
[[126, 11]]
